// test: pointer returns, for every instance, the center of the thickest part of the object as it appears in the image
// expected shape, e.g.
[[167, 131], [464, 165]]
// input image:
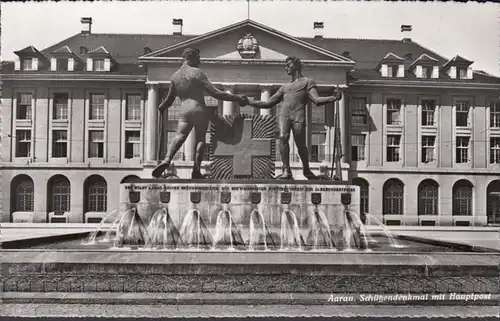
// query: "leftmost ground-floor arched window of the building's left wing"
[[22, 194]]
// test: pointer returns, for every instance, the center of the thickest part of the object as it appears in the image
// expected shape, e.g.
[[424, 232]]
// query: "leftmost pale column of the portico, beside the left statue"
[[151, 124]]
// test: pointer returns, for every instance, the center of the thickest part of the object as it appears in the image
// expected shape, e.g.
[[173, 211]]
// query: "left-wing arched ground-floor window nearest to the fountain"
[[96, 194]]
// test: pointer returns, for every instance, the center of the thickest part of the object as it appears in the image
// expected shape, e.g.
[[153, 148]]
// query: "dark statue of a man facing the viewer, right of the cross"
[[295, 96]]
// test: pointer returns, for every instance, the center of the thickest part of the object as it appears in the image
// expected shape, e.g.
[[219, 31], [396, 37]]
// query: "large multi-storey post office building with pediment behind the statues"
[[421, 133]]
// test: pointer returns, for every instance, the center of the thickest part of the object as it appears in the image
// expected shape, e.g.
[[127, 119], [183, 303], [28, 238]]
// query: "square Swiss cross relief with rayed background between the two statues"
[[243, 147]]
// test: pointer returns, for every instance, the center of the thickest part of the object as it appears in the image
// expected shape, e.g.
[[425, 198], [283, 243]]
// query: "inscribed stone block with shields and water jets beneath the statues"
[[274, 213]]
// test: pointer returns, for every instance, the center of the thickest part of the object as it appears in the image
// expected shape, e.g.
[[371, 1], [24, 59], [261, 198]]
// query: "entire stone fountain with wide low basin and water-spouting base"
[[237, 239]]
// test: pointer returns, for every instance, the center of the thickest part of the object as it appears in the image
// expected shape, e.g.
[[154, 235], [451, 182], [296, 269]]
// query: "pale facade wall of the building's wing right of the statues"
[[376, 170]]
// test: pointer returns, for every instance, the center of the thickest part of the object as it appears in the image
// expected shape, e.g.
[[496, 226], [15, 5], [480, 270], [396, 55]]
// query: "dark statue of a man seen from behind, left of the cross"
[[190, 84]]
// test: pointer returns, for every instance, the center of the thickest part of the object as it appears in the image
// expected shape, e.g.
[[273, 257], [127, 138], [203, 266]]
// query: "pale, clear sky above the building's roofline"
[[470, 29]]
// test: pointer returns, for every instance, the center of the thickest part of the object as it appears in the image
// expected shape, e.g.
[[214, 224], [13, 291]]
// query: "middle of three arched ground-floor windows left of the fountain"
[[59, 194]]
